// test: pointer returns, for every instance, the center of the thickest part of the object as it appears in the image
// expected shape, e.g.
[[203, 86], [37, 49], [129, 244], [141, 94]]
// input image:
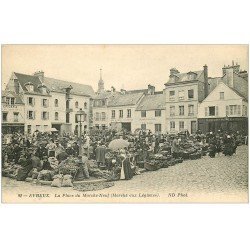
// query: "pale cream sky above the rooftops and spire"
[[123, 66]]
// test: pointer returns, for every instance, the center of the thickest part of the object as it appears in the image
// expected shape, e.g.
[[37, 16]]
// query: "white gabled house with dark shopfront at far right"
[[224, 109]]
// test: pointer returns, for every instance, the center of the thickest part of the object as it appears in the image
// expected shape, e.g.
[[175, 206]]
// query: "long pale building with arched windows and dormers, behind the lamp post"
[[47, 103]]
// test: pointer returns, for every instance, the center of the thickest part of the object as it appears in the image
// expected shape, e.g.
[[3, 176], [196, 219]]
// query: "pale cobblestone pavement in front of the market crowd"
[[219, 179]]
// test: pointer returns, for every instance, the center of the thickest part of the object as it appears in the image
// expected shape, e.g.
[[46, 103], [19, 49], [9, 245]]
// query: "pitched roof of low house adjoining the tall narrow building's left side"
[[152, 102]]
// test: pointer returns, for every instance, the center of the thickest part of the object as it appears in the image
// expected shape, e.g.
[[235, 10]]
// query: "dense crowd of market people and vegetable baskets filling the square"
[[41, 152]]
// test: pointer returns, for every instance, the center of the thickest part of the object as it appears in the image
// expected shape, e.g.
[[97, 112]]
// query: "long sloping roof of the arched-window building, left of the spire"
[[56, 85]]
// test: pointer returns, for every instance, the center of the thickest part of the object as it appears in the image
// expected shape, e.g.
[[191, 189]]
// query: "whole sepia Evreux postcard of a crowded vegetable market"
[[124, 124]]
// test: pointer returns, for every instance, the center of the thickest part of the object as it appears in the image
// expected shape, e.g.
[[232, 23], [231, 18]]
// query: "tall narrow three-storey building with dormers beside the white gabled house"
[[183, 92]]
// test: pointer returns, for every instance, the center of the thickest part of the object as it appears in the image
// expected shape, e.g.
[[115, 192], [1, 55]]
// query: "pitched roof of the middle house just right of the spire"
[[124, 99]]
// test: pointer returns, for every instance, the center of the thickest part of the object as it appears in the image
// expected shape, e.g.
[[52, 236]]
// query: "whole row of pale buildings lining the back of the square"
[[189, 101]]
